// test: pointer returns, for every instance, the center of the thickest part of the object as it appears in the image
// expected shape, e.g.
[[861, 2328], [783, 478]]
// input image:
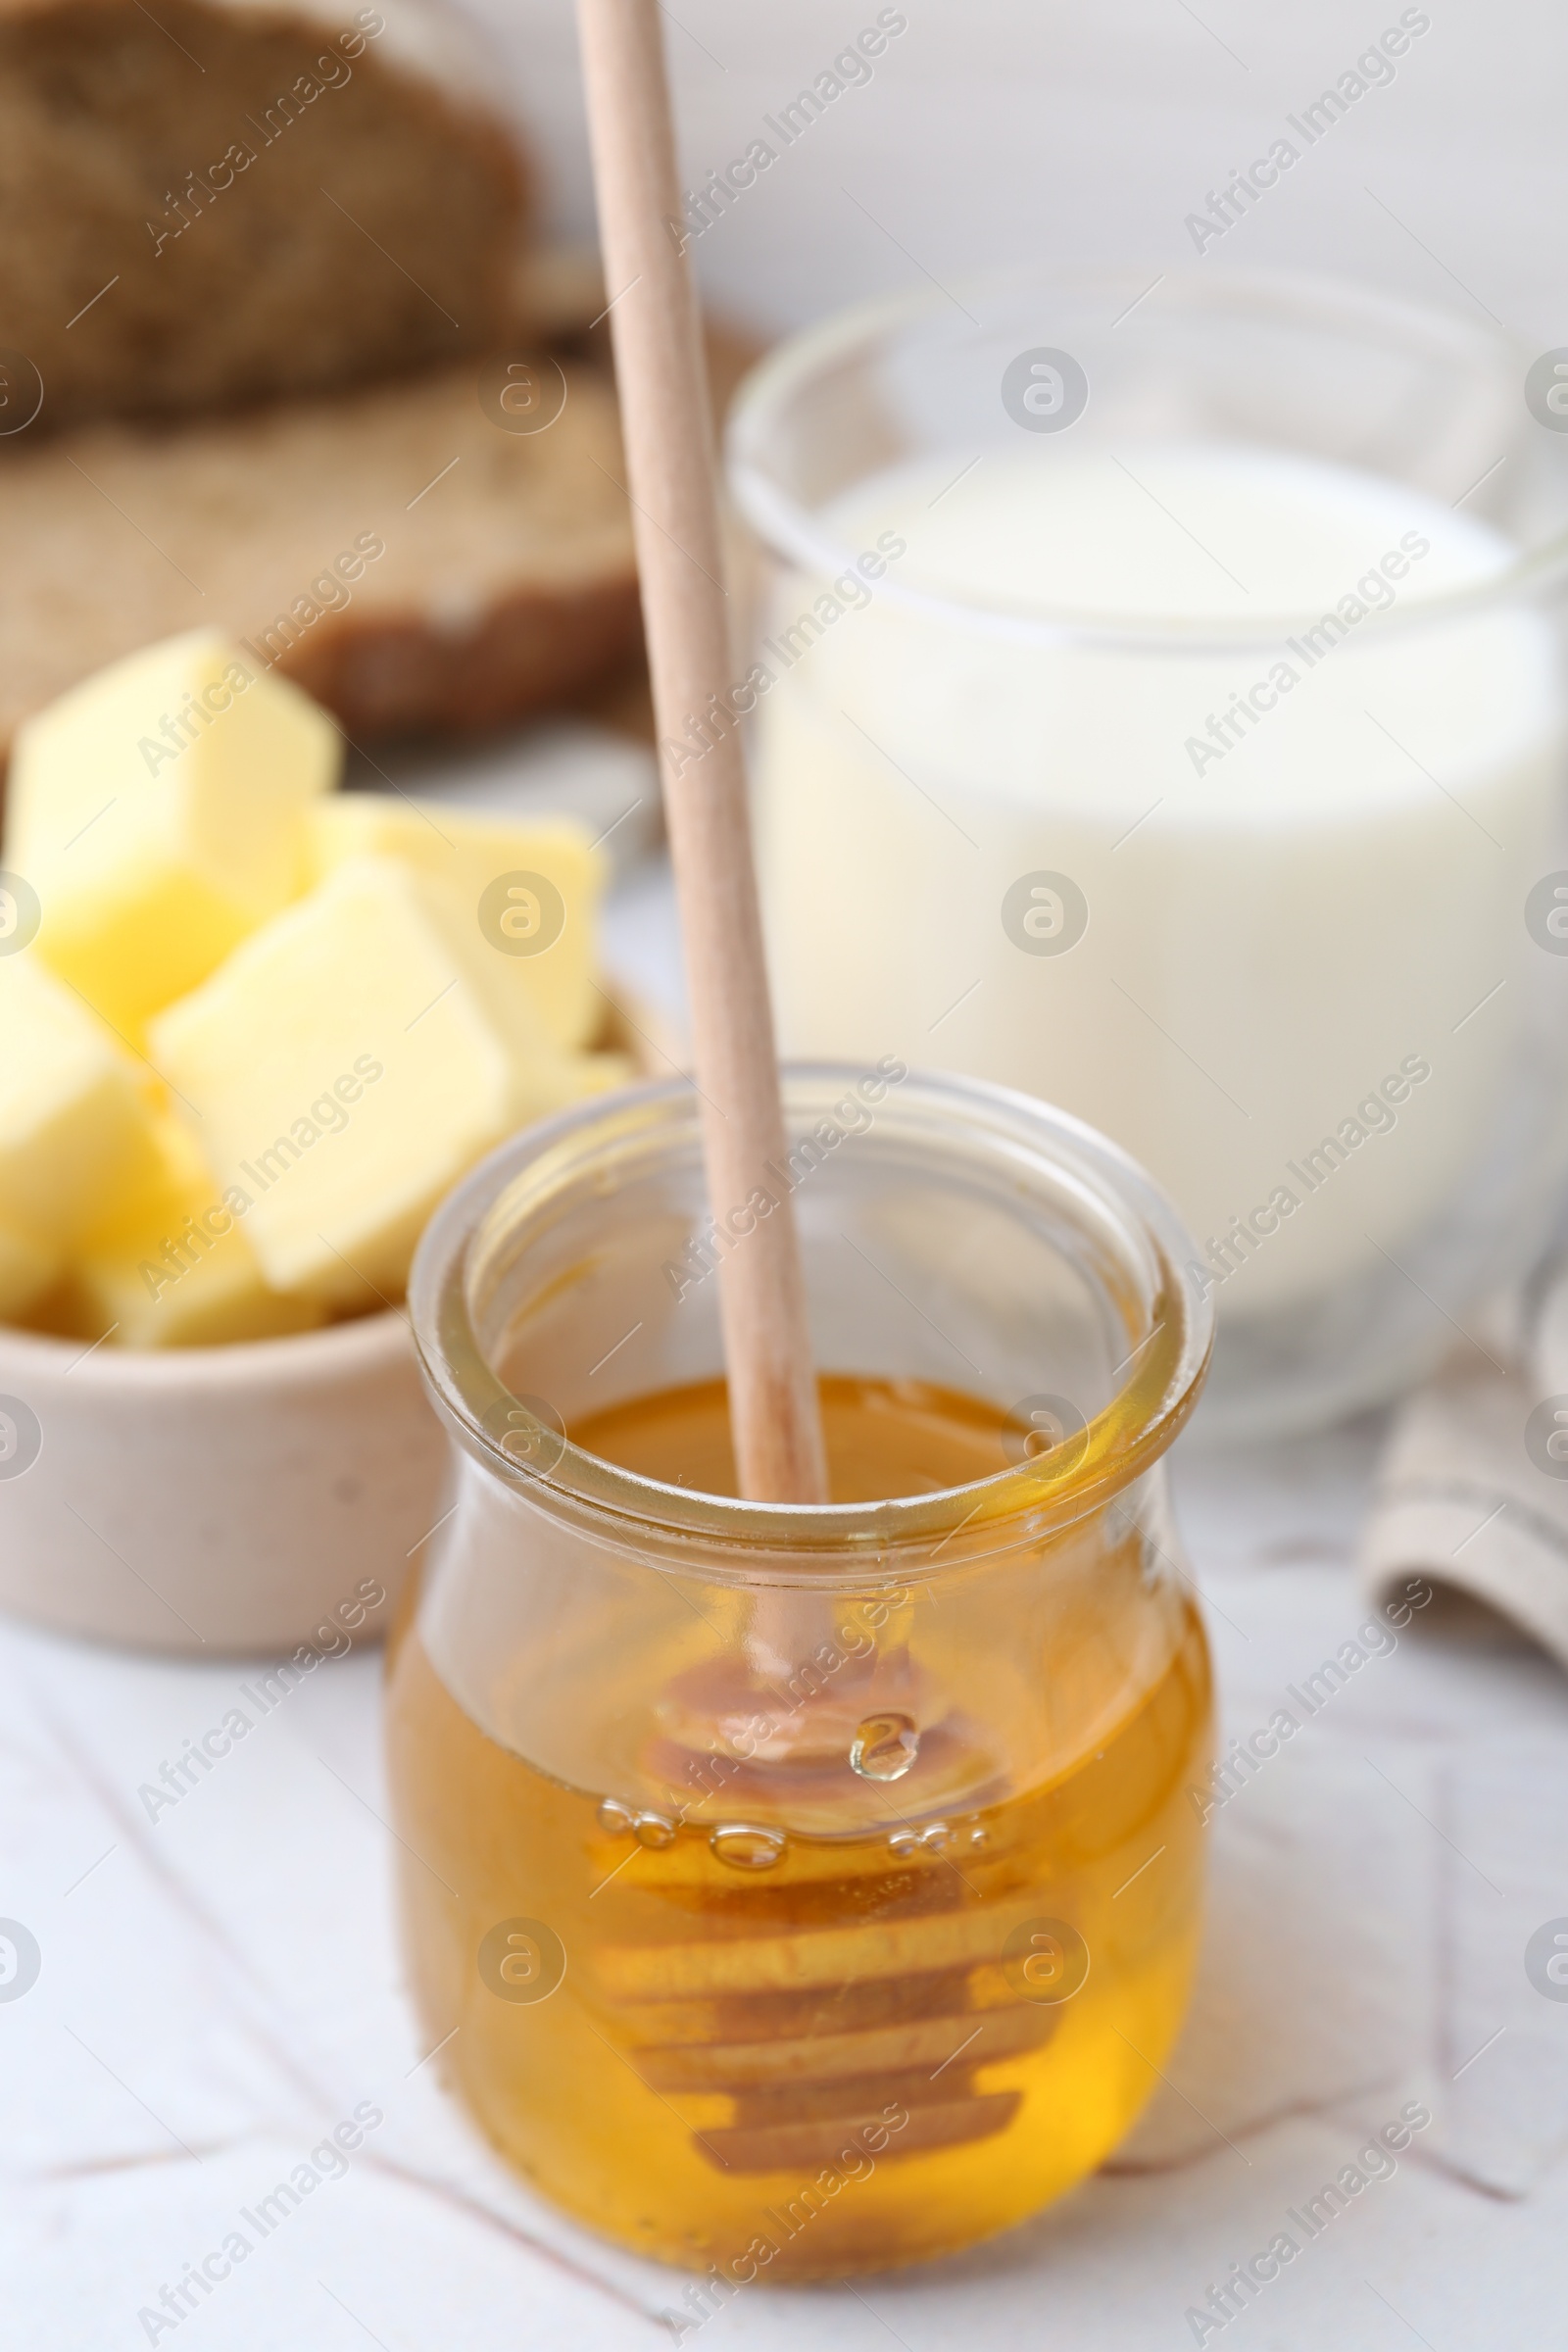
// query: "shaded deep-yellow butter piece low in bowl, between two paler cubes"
[[180, 1271]]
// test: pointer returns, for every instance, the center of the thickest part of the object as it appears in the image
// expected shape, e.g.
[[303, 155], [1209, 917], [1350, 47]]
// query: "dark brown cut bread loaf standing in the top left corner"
[[220, 201]]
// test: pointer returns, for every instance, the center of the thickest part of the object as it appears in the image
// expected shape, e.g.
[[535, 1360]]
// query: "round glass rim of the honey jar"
[[1165, 1370]]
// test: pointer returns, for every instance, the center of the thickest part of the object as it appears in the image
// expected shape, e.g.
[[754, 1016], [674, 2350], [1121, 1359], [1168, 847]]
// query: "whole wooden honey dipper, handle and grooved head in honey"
[[808, 2031]]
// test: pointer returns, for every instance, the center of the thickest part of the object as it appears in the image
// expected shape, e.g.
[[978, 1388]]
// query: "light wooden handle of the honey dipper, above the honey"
[[685, 608]]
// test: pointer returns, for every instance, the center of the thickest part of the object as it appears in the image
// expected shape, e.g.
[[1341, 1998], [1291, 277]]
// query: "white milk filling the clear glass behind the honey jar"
[[1278, 926]]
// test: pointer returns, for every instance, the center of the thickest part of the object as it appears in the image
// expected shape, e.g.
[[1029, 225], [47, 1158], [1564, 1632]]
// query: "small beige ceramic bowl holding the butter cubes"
[[246, 1499]]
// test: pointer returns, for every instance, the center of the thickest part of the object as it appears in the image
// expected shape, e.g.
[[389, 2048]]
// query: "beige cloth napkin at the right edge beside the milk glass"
[[1473, 1488]]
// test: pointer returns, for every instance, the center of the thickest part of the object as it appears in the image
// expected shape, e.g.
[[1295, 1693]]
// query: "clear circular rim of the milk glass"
[[793, 533]]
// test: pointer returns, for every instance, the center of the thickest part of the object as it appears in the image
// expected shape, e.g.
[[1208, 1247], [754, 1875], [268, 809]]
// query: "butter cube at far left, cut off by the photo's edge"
[[76, 1125]]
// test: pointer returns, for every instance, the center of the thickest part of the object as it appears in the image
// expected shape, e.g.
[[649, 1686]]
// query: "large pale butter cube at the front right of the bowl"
[[349, 1064]]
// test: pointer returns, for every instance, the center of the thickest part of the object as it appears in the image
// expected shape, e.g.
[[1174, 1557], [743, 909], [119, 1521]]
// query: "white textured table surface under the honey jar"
[[222, 1986]]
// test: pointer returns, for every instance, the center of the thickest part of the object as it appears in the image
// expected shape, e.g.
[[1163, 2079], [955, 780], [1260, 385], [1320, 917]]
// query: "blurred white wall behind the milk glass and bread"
[[1043, 133]]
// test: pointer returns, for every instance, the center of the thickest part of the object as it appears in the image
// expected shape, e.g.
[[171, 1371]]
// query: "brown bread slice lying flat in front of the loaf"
[[396, 552]]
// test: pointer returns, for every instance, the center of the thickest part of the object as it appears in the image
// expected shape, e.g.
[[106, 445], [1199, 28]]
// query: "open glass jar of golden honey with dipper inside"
[[805, 1890]]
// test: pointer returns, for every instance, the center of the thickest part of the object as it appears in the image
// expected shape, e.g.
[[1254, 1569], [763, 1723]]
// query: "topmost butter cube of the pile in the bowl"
[[159, 815]]
